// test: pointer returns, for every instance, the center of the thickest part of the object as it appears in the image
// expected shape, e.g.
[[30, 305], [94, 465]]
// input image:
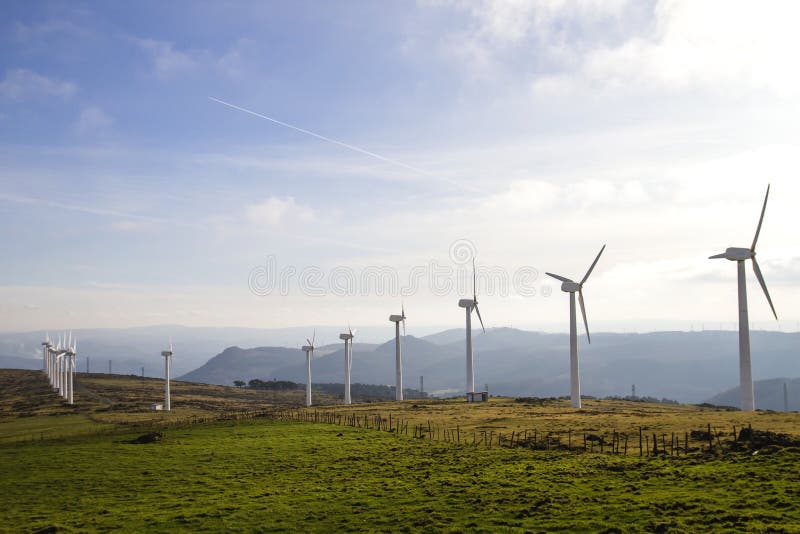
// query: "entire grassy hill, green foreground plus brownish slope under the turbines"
[[278, 474]]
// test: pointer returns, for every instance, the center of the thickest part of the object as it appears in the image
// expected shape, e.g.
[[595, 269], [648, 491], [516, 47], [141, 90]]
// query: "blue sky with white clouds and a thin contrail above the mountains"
[[537, 131]]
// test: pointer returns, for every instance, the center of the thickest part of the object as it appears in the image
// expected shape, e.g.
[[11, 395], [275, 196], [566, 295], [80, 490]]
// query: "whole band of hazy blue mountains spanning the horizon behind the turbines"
[[685, 366]]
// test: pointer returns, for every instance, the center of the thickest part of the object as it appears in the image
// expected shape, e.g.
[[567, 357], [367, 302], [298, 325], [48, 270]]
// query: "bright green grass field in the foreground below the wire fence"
[[276, 475]]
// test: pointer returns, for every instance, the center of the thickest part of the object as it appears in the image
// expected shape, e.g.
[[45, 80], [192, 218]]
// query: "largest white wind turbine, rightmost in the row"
[[740, 255]]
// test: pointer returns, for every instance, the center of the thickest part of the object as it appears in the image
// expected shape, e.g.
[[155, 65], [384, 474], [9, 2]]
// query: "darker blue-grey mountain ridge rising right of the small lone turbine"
[[686, 366]]
